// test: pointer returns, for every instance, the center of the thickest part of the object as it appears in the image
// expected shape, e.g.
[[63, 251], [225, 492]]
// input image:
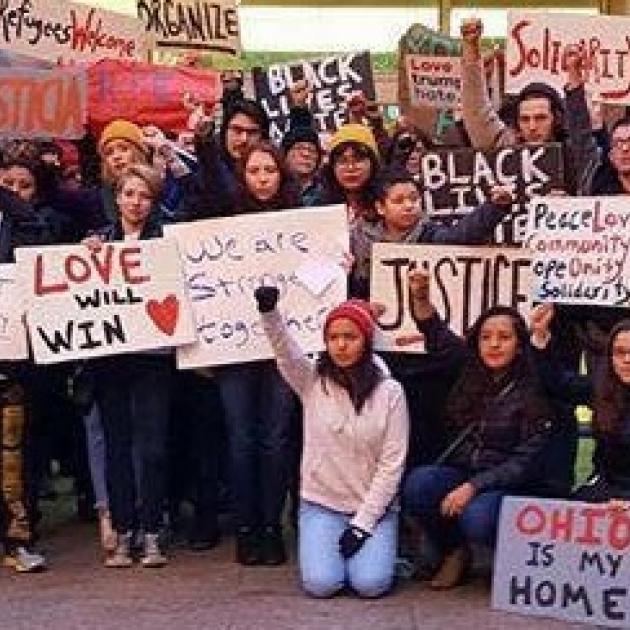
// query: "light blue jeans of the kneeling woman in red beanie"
[[324, 572]]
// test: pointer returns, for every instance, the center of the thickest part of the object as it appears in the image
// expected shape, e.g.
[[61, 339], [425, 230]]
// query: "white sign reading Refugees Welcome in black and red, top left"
[[68, 30]]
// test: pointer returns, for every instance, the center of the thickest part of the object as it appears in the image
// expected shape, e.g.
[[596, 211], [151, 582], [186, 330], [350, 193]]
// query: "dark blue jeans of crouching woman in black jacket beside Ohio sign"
[[424, 489]]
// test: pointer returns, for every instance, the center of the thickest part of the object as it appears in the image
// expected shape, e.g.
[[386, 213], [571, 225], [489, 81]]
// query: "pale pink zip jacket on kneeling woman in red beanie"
[[351, 463]]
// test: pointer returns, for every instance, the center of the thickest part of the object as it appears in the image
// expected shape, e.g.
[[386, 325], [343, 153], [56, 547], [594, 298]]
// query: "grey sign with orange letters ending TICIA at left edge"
[[42, 103]]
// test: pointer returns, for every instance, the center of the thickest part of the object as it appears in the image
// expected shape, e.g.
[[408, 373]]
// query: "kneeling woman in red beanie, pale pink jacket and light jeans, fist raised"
[[355, 444]]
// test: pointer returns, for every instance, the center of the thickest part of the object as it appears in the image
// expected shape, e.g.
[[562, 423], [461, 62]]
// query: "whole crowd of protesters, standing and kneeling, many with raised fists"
[[351, 441]]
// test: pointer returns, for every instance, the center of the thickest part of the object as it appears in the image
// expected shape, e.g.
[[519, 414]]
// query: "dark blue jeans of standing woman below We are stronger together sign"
[[258, 406]]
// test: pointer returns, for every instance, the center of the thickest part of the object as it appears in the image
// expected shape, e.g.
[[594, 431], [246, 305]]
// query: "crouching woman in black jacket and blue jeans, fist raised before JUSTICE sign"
[[499, 423]]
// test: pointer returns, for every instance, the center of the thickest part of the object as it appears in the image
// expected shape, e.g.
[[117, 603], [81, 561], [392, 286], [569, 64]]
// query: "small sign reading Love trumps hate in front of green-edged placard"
[[434, 81]]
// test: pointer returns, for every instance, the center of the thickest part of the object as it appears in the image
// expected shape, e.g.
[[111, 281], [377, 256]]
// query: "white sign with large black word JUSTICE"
[[464, 282]]
